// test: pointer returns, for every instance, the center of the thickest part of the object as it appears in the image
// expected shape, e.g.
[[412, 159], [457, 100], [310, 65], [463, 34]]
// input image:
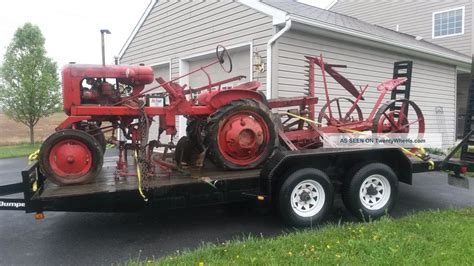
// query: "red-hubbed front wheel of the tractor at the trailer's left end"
[[70, 157]]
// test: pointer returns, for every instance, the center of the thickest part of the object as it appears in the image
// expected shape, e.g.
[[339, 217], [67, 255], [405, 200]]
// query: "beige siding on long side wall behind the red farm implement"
[[433, 84]]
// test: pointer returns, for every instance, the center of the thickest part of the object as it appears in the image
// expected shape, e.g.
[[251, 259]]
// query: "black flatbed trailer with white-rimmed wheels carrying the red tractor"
[[301, 184]]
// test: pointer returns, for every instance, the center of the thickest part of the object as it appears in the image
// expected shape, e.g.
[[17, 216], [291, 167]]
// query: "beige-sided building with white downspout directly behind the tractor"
[[177, 36]]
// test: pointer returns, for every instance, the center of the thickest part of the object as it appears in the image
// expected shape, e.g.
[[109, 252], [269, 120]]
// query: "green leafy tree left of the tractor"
[[29, 84]]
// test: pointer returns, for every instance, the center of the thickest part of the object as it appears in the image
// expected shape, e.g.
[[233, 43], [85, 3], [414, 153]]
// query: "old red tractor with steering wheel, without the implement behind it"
[[234, 127]]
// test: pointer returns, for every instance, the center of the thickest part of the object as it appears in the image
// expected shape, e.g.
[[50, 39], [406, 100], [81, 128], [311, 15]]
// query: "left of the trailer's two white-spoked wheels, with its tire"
[[305, 197]]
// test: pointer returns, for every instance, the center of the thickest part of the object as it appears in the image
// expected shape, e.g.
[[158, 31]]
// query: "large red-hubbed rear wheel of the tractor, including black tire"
[[240, 135]]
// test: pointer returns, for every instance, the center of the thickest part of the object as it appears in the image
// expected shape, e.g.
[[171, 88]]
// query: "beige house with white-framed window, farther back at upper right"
[[446, 23]]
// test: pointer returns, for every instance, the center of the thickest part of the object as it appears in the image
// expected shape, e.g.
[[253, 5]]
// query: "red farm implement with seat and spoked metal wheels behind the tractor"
[[343, 114]]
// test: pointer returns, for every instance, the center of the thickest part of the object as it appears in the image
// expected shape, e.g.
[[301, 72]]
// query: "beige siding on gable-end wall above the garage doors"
[[178, 29]]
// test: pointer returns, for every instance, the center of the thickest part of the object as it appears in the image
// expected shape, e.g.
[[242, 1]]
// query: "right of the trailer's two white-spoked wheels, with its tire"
[[371, 191]]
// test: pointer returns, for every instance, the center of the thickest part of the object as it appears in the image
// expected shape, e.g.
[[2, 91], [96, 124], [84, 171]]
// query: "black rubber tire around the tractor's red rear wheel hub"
[[212, 128]]
